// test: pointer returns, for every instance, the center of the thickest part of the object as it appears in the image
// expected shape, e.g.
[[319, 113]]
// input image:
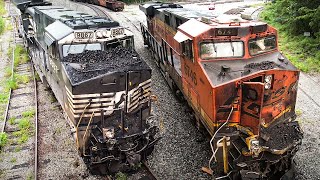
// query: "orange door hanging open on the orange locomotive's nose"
[[251, 105]]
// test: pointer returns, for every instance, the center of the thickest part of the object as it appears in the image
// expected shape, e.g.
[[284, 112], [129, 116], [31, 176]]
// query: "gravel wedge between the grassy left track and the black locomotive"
[[58, 157]]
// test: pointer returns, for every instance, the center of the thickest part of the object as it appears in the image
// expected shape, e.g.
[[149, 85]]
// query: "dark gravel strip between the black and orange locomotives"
[[182, 151]]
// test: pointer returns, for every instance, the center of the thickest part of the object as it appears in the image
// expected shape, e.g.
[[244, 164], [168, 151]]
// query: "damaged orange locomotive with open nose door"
[[240, 87]]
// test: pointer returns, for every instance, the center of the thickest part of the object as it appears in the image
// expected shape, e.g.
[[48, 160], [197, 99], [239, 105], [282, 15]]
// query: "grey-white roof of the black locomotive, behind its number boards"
[[74, 19]]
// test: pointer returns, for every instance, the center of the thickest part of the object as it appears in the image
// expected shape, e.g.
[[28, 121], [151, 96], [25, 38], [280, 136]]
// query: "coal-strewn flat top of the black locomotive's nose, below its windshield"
[[91, 64]]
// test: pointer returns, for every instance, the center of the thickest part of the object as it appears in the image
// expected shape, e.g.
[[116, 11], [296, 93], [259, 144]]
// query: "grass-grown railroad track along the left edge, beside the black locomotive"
[[19, 155]]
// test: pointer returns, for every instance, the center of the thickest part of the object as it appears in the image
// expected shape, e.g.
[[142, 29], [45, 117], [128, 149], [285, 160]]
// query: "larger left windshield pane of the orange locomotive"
[[209, 50]]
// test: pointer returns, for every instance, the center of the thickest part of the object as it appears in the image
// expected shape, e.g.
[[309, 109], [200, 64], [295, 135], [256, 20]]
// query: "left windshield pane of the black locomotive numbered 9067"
[[79, 48]]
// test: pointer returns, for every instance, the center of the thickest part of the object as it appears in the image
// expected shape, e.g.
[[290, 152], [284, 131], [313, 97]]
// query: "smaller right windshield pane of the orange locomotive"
[[261, 45]]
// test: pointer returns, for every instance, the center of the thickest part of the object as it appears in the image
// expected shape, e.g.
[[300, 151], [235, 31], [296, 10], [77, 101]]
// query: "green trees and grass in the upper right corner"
[[293, 18]]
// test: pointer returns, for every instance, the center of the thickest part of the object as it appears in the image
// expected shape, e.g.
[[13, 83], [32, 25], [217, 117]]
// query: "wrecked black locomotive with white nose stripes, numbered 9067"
[[100, 81]]
